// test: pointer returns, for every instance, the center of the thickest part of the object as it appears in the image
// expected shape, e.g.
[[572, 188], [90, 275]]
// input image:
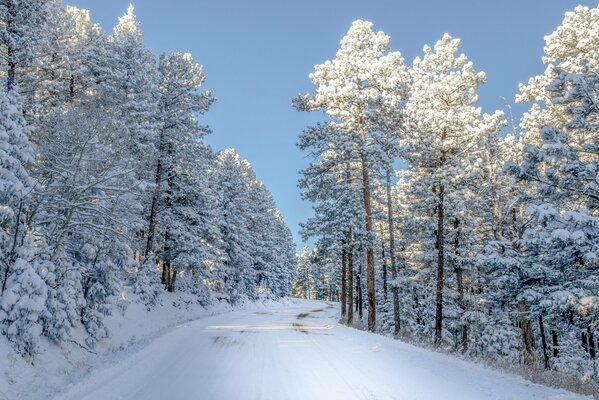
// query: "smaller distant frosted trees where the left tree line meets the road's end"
[[254, 242]]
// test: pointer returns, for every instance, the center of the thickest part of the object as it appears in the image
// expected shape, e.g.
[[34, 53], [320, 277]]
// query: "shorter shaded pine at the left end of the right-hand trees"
[[331, 181]]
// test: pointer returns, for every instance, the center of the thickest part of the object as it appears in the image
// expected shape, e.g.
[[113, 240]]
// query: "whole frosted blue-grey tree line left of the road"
[[106, 186]]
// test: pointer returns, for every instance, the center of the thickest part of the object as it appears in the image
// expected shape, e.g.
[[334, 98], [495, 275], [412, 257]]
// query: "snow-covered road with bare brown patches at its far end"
[[295, 351]]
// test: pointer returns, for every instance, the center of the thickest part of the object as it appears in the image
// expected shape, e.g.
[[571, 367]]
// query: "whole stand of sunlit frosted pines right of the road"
[[450, 226]]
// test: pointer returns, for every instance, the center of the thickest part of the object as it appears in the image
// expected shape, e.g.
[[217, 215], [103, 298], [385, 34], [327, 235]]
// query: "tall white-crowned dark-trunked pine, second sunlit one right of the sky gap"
[[444, 134]]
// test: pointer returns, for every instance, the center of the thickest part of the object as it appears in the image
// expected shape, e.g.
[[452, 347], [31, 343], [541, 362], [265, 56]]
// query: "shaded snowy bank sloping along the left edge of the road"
[[59, 366]]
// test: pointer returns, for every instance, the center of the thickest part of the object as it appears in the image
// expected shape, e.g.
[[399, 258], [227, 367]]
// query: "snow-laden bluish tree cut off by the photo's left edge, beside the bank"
[[23, 272]]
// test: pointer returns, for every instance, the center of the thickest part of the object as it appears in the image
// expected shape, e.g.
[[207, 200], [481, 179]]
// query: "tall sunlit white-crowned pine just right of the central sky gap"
[[356, 90]]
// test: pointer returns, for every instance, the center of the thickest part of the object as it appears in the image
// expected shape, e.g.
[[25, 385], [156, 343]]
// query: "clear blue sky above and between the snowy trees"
[[257, 56]]
